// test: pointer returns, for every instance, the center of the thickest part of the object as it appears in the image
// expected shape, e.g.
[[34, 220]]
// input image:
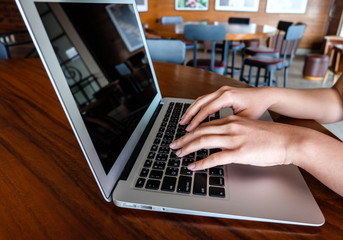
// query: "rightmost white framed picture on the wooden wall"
[[289, 6]]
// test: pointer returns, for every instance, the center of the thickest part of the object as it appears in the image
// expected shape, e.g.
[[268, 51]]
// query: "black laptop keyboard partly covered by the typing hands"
[[163, 170]]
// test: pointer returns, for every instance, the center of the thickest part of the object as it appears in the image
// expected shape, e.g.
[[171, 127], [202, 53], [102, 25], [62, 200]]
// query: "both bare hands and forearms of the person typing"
[[248, 141]]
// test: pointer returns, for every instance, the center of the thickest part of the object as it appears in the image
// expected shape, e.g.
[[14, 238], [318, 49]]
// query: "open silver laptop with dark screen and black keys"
[[96, 56]]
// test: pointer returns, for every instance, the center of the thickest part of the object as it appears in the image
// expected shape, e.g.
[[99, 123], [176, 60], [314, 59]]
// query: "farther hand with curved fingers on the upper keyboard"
[[247, 102]]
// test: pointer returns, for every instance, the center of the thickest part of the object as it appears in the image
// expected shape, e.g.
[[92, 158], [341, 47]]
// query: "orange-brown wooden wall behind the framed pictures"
[[315, 18]]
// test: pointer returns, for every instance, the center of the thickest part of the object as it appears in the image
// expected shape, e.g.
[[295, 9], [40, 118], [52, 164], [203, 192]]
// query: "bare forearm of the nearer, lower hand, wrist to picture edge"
[[321, 156]]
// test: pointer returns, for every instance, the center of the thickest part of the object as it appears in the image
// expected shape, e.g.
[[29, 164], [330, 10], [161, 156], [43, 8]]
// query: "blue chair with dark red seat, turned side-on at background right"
[[273, 64]]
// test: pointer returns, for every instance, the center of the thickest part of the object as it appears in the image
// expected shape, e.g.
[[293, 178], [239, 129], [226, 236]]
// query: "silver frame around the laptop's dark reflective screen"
[[106, 182]]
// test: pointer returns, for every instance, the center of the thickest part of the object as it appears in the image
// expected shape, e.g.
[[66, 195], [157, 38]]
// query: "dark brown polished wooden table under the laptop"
[[48, 191]]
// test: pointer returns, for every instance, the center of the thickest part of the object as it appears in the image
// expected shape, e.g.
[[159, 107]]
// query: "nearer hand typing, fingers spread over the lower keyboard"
[[243, 141]]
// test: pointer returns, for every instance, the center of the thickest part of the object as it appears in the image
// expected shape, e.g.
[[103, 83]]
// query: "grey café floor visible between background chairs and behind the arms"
[[295, 80]]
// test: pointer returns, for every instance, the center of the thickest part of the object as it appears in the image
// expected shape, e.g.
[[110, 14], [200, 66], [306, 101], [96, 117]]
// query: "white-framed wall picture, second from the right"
[[237, 5]]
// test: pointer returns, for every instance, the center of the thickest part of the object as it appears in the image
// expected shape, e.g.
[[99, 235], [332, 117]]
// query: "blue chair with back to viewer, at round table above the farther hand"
[[211, 33]]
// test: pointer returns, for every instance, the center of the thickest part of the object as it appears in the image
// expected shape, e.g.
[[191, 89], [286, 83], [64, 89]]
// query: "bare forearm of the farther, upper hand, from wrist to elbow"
[[323, 105]]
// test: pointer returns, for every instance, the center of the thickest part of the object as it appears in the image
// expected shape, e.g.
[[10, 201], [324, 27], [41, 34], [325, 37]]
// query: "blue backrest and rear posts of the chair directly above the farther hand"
[[205, 33]]
